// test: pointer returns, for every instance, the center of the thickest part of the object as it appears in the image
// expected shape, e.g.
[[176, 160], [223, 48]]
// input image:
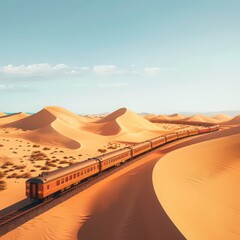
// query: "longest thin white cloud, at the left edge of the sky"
[[42, 69]]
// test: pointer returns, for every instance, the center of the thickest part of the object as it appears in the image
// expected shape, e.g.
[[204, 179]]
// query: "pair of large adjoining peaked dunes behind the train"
[[57, 126]]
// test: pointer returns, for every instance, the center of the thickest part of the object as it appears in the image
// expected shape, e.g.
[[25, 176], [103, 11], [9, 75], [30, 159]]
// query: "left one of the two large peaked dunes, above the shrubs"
[[52, 126]]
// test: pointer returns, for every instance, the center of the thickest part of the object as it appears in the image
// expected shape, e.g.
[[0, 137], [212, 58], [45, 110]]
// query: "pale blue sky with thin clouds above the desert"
[[96, 56]]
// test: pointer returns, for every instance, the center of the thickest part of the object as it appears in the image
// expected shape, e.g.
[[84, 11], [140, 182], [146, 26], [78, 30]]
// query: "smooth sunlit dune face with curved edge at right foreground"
[[198, 186]]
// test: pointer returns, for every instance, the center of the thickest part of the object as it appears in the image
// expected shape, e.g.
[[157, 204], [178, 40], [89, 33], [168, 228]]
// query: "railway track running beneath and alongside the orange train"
[[17, 217]]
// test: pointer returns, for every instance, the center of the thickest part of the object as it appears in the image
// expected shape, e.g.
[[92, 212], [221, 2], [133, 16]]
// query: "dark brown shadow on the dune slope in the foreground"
[[127, 208]]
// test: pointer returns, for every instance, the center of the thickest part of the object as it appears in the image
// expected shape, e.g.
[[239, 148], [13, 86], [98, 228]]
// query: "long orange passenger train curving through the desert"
[[47, 184]]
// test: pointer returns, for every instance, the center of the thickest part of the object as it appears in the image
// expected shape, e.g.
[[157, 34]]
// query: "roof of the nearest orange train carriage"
[[45, 177]]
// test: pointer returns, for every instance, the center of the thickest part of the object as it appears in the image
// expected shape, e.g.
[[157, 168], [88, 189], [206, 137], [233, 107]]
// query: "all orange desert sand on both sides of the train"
[[157, 197]]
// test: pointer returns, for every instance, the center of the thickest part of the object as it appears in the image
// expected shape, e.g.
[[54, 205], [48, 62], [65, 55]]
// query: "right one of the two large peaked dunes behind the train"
[[120, 122]]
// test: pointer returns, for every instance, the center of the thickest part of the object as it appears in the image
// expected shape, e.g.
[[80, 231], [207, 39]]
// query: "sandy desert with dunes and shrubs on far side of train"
[[55, 137]]
